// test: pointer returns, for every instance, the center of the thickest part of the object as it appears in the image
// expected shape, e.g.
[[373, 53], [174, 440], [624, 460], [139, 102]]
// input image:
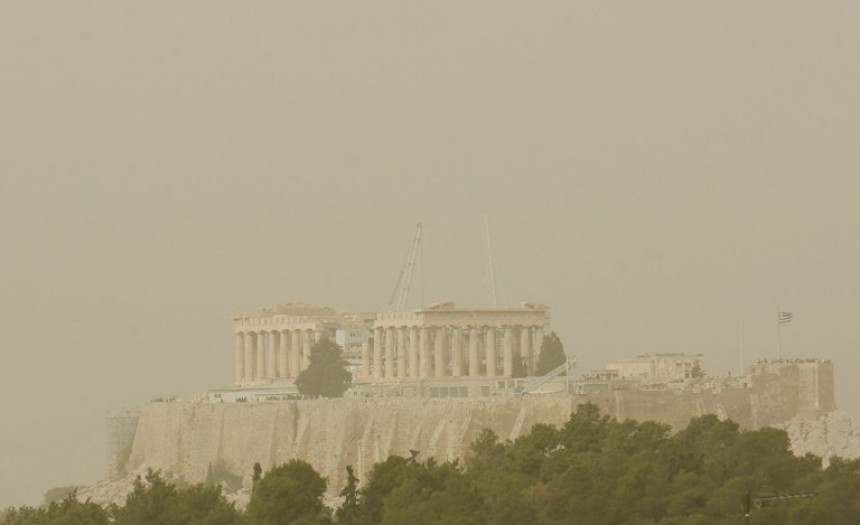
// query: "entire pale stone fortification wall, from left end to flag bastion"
[[187, 439]]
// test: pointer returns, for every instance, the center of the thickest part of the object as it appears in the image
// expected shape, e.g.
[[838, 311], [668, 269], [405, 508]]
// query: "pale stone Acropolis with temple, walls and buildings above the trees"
[[430, 380]]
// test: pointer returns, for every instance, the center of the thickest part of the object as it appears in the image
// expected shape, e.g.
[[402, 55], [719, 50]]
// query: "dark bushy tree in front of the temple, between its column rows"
[[326, 374]]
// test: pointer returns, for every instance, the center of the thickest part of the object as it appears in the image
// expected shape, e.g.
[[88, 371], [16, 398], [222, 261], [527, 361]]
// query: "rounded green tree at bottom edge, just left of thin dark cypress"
[[288, 494]]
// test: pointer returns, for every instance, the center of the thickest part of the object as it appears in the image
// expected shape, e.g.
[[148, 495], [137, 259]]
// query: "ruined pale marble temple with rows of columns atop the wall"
[[438, 341]]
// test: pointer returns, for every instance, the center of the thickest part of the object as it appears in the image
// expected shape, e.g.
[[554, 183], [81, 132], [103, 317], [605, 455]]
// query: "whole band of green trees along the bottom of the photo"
[[591, 470]]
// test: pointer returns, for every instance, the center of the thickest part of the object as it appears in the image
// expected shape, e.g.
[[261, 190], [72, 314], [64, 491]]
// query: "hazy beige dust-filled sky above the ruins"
[[660, 173]]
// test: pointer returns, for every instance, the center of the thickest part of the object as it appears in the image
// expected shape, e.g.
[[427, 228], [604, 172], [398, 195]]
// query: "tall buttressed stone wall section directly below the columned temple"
[[189, 438]]
